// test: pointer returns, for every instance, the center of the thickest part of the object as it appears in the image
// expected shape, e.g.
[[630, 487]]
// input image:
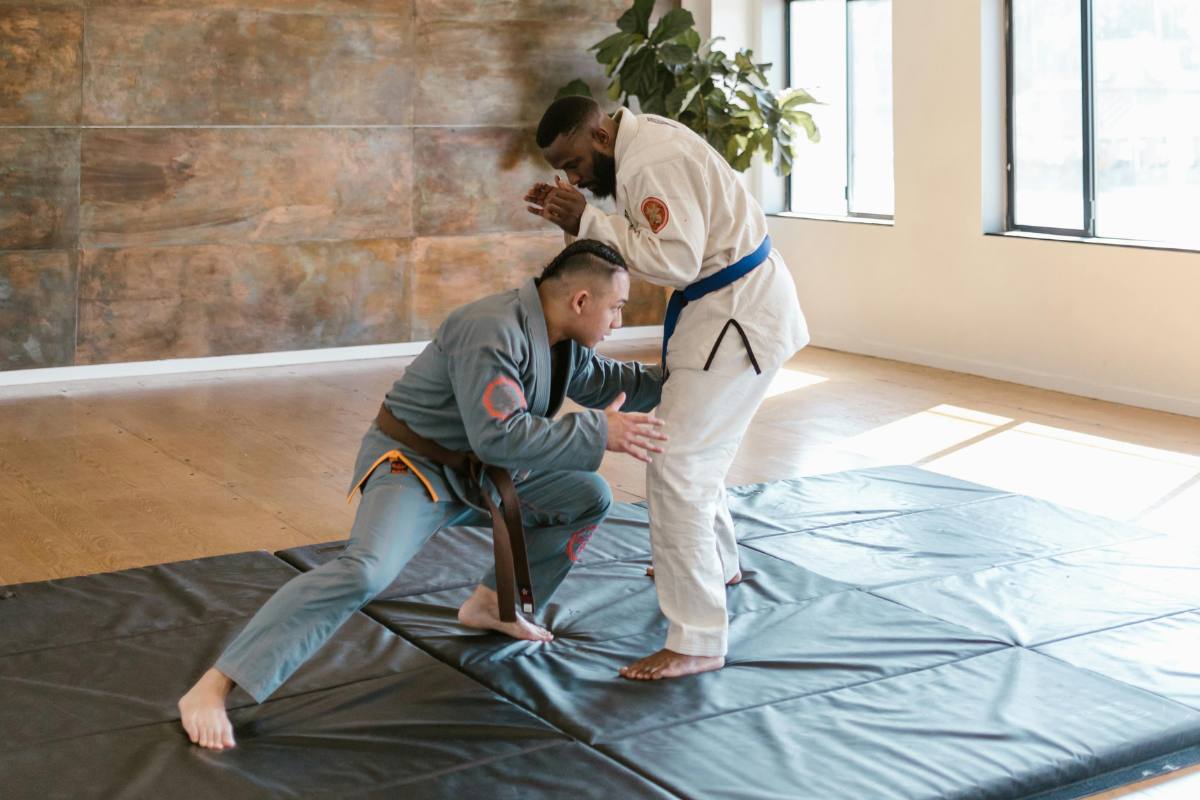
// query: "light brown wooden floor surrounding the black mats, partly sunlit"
[[112, 474]]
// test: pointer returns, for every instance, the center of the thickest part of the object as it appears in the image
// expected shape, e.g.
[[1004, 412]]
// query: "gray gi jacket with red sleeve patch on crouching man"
[[490, 383]]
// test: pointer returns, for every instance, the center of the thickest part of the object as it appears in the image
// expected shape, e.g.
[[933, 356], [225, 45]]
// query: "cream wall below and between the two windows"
[[1115, 323]]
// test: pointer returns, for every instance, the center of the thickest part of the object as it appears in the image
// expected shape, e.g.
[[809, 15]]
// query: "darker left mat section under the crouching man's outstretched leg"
[[94, 666]]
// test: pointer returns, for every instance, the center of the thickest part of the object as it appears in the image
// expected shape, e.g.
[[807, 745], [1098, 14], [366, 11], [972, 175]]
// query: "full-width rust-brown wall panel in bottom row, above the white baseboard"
[[139, 303]]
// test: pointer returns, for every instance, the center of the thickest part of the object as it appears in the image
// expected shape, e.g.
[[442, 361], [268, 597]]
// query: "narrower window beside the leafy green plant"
[[841, 51]]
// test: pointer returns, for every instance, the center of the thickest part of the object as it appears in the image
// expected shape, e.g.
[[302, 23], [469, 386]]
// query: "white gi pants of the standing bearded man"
[[692, 531]]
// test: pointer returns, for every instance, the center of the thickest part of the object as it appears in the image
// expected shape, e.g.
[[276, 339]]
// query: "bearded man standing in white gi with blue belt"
[[683, 221]]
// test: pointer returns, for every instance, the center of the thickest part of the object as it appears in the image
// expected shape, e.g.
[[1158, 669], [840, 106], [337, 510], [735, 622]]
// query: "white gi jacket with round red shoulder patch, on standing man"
[[683, 215]]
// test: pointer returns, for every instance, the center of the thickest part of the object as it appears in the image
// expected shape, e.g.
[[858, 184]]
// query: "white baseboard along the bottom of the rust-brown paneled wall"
[[249, 362]]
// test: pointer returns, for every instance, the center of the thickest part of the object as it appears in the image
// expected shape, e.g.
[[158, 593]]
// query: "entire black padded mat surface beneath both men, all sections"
[[898, 634]]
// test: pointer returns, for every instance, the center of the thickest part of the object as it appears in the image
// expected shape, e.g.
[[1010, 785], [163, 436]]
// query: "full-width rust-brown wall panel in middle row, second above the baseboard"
[[188, 187]]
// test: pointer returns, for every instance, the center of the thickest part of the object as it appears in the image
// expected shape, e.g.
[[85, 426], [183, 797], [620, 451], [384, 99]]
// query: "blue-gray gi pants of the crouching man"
[[394, 521]]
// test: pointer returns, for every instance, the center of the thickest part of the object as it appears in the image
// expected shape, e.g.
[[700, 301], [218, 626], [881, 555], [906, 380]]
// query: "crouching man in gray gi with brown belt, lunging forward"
[[489, 383]]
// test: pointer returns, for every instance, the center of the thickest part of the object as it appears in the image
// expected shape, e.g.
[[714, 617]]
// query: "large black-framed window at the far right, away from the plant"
[[1105, 118]]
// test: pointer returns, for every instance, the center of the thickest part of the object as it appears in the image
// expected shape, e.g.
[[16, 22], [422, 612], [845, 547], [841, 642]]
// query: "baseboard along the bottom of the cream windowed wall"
[[1082, 388]]
